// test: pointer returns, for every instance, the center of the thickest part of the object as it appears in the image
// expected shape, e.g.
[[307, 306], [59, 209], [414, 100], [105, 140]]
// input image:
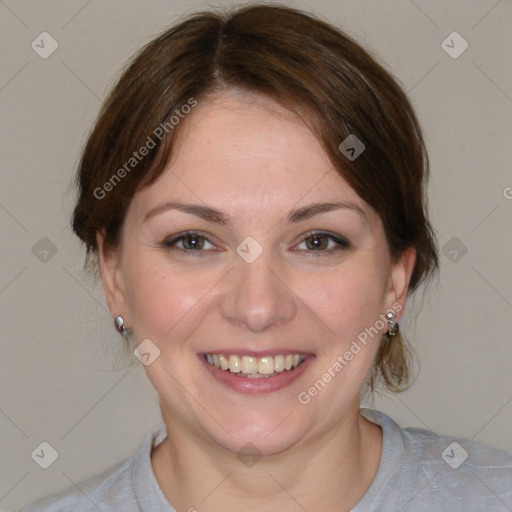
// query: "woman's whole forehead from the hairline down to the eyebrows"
[[241, 152]]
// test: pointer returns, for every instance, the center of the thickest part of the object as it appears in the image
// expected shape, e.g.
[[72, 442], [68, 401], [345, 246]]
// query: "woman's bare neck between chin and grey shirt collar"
[[331, 472]]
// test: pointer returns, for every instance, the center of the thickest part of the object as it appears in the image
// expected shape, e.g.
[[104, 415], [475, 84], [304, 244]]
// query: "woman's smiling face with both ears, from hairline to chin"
[[226, 261]]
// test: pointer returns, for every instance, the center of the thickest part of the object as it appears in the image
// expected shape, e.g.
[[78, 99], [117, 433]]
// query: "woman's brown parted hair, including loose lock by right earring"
[[308, 66]]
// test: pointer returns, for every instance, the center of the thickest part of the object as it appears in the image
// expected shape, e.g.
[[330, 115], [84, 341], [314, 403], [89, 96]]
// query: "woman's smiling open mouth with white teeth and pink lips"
[[256, 373]]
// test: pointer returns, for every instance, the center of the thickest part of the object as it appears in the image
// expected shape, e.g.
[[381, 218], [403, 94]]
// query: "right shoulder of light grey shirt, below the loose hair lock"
[[423, 470]]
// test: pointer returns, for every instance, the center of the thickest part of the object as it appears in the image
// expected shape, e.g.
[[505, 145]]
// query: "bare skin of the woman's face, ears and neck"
[[248, 157]]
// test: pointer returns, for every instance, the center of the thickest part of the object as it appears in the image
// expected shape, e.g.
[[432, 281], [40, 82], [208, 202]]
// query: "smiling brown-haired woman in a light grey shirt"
[[253, 195]]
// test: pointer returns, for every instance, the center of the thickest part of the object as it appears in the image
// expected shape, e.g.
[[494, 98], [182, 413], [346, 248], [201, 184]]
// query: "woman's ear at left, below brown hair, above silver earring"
[[113, 285]]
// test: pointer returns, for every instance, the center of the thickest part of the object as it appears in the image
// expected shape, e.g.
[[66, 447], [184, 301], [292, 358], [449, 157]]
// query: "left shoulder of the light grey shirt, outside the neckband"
[[93, 494]]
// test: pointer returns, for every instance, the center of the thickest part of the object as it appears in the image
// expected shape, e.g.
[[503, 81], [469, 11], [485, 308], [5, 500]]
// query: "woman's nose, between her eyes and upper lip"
[[258, 296]]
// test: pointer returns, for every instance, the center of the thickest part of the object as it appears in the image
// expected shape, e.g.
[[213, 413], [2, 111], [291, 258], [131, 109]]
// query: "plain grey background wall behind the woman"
[[62, 380]]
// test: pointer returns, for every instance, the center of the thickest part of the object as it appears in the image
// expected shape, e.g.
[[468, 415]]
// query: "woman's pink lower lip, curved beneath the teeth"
[[258, 385]]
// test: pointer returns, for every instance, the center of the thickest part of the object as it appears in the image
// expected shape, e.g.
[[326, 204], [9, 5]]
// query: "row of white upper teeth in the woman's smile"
[[252, 365]]
